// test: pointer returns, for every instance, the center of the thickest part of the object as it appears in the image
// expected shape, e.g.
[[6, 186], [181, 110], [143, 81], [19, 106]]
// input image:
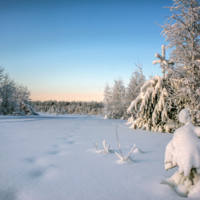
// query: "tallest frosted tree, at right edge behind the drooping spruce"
[[182, 32]]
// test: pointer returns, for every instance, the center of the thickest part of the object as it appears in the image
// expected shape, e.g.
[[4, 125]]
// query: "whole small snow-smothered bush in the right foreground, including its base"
[[183, 151]]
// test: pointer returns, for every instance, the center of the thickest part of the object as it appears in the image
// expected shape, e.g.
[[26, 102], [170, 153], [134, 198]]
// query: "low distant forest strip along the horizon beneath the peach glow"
[[66, 107]]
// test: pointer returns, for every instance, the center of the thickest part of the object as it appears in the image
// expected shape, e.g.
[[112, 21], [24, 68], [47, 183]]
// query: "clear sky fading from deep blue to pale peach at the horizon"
[[68, 50]]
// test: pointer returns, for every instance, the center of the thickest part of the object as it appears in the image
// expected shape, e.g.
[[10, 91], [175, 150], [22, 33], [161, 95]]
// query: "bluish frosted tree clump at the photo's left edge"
[[14, 98]]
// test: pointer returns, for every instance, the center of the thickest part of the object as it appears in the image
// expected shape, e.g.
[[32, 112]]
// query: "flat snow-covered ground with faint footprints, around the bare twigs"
[[50, 157]]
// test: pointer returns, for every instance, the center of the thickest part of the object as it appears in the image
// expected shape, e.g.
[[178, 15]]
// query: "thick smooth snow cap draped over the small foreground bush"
[[184, 149]]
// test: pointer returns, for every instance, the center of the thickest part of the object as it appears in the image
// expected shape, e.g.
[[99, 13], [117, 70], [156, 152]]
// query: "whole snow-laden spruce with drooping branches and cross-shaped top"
[[153, 109]]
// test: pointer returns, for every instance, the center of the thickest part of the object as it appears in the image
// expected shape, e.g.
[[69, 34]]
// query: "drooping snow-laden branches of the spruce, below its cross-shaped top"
[[150, 106]]
